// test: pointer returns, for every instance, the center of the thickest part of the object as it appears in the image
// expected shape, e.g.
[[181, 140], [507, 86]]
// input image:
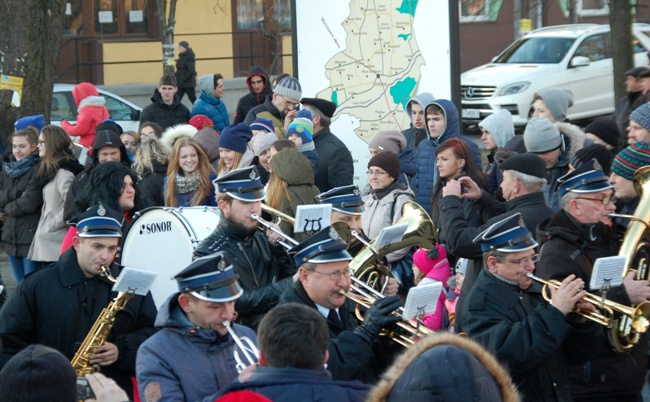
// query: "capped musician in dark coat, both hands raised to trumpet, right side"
[[507, 314]]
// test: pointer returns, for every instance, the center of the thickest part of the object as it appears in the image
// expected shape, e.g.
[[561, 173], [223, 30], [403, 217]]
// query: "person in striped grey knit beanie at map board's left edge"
[[280, 108]]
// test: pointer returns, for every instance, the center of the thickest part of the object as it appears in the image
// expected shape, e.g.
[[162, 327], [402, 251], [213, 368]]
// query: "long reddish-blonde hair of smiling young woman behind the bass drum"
[[203, 169]]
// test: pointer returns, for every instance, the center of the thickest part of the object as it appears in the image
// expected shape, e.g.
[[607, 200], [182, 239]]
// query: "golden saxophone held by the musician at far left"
[[99, 332]]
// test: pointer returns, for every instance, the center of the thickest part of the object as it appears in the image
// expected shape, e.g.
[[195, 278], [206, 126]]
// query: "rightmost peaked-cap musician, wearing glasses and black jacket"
[[572, 240]]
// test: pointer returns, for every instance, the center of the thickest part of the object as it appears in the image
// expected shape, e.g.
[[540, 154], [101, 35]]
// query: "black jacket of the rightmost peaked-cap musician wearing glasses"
[[568, 247]]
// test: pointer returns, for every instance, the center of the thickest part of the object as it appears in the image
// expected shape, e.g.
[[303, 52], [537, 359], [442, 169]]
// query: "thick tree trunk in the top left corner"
[[29, 49]]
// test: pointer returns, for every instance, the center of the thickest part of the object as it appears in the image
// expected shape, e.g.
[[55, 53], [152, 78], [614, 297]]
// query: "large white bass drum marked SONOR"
[[163, 240]]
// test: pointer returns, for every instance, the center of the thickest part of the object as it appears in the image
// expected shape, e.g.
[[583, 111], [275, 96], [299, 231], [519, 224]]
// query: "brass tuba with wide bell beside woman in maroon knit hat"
[[368, 266]]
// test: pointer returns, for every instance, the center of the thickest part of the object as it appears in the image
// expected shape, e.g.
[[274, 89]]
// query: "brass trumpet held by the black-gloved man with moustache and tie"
[[365, 295]]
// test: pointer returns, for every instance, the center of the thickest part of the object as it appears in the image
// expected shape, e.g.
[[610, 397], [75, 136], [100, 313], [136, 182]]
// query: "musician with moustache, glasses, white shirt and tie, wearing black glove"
[[324, 280]]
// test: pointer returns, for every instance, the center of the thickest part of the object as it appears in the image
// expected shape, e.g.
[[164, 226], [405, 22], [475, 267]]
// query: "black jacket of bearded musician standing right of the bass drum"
[[264, 272]]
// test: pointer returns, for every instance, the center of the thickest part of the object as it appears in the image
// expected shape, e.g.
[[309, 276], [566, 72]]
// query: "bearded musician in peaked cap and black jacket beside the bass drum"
[[262, 265]]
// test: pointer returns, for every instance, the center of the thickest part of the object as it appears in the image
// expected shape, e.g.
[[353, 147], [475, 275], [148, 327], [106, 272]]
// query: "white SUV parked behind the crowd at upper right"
[[576, 57]]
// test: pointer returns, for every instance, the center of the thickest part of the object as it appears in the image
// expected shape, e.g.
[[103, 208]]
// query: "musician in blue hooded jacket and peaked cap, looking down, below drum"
[[192, 356]]
